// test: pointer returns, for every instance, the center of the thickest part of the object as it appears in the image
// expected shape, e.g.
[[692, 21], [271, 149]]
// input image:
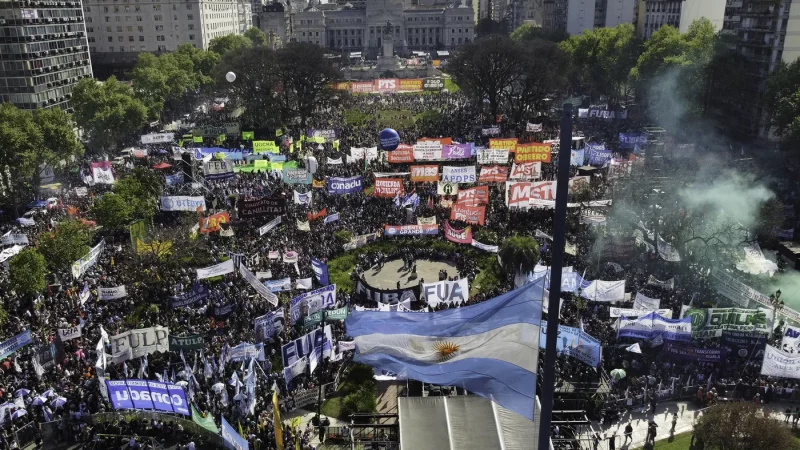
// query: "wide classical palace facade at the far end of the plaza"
[[418, 26]]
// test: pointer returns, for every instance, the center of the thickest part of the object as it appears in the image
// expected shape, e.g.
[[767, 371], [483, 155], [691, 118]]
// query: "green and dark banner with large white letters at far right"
[[710, 323]]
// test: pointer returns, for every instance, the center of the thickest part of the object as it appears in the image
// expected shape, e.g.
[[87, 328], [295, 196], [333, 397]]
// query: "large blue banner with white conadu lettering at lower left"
[[146, 394]]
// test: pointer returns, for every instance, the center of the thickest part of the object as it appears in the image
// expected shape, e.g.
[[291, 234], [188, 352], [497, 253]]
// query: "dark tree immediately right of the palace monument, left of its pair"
[[486, 68]]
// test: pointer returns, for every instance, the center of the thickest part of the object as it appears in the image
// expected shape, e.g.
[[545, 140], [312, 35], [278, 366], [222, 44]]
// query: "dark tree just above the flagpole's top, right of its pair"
[[544, 67]]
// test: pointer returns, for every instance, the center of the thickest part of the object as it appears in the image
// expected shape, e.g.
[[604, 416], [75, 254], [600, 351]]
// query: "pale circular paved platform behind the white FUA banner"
[[387, 276]]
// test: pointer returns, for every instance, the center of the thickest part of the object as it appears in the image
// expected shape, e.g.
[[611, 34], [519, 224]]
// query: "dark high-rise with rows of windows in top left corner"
[[43, 52]]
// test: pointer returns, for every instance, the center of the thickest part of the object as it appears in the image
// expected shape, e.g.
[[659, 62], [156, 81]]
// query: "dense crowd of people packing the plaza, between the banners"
[[58, 384]]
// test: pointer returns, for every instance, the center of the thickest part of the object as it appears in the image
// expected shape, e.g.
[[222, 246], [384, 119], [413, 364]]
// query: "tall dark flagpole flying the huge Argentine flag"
[[557, 264]]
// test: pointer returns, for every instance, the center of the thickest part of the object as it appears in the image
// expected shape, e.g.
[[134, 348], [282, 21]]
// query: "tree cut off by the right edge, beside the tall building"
[[782, 100]]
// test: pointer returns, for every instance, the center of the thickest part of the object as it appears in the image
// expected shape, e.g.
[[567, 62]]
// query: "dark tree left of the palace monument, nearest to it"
[[306, 75]]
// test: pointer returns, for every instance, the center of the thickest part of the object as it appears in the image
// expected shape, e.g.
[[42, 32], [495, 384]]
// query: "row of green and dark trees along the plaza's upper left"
[[272, 88]]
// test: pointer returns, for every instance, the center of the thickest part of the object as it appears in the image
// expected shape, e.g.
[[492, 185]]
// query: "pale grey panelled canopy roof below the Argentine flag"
[[463, 422]]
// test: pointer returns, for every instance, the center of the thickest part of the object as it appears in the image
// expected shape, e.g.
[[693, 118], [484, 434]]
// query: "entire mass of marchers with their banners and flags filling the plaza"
[[233, 343]]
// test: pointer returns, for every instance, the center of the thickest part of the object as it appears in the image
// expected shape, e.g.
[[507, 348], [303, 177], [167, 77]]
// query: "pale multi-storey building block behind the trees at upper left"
[[119, 30]]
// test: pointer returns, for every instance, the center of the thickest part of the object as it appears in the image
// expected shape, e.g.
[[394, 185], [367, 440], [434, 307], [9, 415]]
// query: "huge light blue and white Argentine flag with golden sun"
[[491, 349]]
